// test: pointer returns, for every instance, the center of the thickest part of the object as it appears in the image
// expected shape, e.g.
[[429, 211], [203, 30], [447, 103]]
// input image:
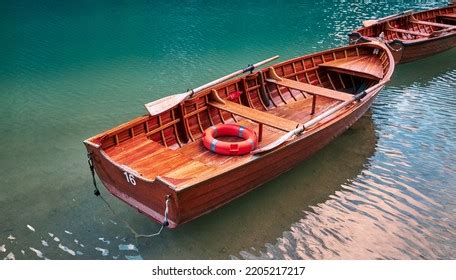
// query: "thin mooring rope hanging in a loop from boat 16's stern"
[[134, 232]]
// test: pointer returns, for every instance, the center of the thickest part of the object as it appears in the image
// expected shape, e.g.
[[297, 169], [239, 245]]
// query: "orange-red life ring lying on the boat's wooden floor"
[[229, 148]]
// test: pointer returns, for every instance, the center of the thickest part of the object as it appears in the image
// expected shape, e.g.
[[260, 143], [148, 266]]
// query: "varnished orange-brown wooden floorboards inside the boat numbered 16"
[[192, 161]]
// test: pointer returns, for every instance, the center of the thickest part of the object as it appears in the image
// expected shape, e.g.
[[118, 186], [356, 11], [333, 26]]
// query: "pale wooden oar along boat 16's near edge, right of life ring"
[[317, 119]]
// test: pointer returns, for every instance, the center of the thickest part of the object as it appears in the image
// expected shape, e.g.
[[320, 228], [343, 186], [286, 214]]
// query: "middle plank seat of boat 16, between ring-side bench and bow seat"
[[311, 89]]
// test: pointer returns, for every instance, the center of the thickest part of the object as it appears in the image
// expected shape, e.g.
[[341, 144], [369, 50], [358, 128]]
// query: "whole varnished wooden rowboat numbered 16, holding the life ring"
[[158, 164]]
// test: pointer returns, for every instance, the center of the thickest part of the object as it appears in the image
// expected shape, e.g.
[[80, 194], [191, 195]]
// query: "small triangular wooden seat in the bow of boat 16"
[[368, 66]]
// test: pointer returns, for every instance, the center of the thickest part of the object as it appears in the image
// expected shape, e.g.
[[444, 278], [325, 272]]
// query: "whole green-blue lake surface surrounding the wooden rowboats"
[[385, 189]]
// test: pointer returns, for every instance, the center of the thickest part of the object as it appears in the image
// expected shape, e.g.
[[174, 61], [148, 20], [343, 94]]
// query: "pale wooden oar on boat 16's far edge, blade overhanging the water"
[[159, 106]]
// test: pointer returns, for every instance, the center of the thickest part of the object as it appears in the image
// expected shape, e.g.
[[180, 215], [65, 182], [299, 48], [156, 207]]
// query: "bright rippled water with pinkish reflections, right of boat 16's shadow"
[[401, 206]]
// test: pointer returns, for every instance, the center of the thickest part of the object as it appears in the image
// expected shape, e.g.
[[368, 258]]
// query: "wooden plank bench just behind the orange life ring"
[[255, 115]]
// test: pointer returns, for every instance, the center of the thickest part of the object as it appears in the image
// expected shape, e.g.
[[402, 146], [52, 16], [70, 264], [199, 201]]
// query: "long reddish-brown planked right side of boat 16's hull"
[[220, 190]]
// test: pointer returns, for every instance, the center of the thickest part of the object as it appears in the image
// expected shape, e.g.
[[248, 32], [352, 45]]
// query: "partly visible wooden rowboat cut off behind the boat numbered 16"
[[412, 35]]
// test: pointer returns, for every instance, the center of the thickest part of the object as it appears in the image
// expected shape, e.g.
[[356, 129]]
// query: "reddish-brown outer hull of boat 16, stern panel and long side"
[[149, 197]]
